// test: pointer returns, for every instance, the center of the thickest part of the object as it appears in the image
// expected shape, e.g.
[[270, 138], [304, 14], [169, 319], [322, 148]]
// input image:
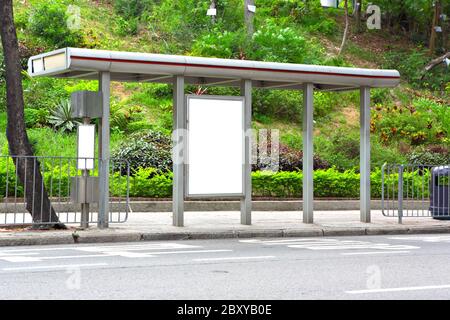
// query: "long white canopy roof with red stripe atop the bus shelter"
[[144, 67]]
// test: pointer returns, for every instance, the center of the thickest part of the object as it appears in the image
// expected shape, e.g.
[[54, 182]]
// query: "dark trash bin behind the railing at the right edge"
[[440, 192]]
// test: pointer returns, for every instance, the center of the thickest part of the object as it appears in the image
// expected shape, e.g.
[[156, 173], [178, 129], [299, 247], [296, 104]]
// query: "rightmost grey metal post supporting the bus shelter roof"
[[364, 163]]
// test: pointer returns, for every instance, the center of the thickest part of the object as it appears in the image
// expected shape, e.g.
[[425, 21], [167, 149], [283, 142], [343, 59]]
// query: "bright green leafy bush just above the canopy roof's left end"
[[48, 21]]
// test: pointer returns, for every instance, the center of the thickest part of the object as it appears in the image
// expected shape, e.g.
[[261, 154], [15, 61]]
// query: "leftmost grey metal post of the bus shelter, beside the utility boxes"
[[103, 208]]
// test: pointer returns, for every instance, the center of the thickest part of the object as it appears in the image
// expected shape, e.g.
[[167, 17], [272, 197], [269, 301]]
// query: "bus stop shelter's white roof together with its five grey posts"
[[106, 66]]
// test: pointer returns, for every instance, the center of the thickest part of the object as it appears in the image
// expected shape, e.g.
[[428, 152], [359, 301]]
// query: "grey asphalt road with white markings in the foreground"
[[372, 267]]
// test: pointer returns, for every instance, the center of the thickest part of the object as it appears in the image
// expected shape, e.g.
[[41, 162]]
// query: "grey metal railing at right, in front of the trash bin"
[[415, 190]]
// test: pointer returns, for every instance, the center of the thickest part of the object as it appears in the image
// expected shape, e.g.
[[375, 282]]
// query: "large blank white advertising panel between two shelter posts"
[[215, 151]]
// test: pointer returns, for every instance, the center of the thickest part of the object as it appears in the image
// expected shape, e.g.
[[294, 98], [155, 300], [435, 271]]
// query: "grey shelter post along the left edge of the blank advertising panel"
[[178, 154]]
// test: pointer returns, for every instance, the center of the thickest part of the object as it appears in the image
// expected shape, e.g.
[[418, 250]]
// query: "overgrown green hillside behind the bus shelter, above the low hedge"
[[410, 123]]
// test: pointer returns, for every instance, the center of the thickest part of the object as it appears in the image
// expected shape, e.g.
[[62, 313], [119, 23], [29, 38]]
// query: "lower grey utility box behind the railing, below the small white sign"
[[84, 189]]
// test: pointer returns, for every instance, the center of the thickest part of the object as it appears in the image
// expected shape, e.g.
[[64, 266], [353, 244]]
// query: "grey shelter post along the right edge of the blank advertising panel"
[[246, 201]]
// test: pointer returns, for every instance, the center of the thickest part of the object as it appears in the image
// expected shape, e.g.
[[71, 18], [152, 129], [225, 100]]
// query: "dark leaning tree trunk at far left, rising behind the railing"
[[28, 167]]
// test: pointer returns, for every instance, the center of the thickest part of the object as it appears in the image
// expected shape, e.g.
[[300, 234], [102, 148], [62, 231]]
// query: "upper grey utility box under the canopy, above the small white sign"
[[86, 104]]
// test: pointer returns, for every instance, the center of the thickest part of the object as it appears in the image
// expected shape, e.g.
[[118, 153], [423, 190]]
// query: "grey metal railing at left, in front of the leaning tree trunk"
[[22, 206]]
